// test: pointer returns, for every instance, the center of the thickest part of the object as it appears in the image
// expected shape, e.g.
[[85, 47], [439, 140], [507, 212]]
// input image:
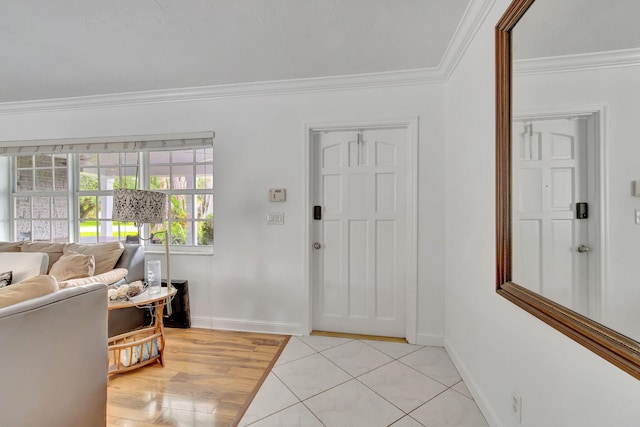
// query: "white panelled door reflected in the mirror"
[[551, 244]]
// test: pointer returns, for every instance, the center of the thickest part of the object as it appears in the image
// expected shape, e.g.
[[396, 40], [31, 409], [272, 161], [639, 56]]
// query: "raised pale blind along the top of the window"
[[118, 144]]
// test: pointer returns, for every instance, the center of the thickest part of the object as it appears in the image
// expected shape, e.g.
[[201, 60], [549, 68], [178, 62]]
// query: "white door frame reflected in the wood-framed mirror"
[[597, 189]]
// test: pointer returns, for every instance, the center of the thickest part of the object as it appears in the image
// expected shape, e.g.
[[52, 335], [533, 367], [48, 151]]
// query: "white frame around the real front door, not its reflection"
[[411, 273]]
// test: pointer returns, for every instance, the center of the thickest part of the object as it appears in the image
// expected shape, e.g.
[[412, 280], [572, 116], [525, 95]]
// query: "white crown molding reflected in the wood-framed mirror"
[[580, 62]]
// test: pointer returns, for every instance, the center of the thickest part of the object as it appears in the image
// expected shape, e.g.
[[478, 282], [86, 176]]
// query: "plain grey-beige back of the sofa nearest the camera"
[[58, 340]]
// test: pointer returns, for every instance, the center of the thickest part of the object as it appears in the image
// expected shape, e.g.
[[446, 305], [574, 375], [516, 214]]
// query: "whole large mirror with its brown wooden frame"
[[585, 315]]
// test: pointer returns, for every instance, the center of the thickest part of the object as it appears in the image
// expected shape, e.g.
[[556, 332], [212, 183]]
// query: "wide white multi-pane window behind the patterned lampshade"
[[68, 197]]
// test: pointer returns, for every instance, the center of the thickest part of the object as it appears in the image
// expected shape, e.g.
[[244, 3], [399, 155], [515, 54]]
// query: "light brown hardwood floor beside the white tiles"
[[209, 379]]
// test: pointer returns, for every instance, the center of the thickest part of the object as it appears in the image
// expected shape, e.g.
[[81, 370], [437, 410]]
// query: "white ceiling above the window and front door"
[[71, 48]]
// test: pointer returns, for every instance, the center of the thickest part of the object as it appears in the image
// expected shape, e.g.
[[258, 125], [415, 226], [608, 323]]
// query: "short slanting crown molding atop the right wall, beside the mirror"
[[474, 16]]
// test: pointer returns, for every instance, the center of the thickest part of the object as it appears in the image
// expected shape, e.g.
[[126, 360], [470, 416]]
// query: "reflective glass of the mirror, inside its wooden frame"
[[575, 157]]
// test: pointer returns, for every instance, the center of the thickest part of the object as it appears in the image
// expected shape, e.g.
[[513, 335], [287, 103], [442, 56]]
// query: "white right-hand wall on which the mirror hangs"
[[497, 346]]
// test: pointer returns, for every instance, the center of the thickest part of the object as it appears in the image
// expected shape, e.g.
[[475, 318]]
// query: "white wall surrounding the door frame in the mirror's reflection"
[[616, 90]]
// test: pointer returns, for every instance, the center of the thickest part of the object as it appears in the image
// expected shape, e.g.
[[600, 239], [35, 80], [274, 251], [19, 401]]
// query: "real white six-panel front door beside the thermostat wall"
[[359, 182]]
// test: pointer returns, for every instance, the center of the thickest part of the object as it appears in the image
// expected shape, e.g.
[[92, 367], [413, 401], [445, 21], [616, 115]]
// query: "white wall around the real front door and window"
[[255, 280]]
